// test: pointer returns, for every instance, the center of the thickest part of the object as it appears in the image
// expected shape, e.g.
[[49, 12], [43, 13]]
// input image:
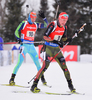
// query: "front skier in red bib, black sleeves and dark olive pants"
[[55, 36]]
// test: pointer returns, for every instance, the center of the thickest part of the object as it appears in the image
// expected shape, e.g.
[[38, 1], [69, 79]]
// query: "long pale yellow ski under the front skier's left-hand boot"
[[41, 92]]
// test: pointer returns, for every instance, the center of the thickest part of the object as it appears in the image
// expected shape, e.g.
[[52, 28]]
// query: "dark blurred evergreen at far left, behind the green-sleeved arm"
[[13, 16]]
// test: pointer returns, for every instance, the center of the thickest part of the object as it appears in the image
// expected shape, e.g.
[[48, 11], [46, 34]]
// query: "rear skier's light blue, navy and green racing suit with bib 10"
[[27, 35]]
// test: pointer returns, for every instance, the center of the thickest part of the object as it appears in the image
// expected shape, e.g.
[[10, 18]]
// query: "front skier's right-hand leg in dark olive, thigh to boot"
[[62, 63]]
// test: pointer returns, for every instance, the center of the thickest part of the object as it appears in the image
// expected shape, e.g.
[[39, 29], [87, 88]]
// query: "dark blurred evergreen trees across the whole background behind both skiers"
[[80, 12]]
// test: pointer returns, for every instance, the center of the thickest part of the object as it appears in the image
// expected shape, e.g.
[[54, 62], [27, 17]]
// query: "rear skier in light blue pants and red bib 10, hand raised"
[[28, 30]]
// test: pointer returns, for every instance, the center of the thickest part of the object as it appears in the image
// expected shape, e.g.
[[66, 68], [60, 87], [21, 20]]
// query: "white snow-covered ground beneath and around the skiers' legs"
[[81, 74]]
